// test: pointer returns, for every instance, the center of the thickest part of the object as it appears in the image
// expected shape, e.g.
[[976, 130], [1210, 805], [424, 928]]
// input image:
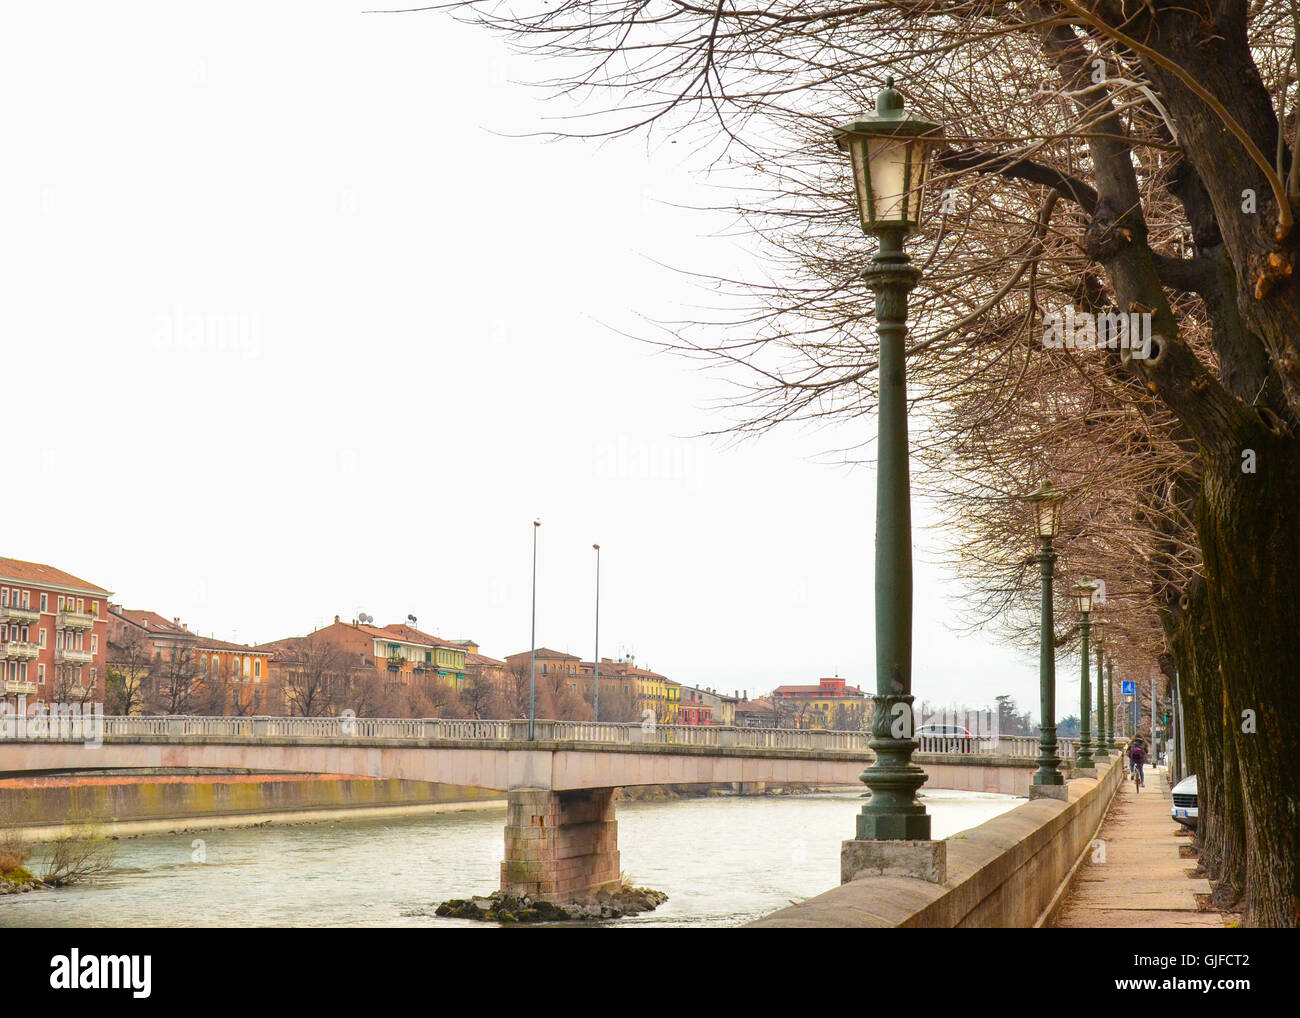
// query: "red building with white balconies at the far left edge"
[[54, 636]]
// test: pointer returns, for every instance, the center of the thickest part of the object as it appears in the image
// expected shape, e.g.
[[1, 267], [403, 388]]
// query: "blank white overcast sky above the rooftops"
[[300, 323]]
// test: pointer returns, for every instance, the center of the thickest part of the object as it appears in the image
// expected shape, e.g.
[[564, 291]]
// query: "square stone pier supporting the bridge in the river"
[[561, 846]]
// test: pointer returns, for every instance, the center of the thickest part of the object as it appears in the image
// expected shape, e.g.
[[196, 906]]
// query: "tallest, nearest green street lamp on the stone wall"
[[890, 151]]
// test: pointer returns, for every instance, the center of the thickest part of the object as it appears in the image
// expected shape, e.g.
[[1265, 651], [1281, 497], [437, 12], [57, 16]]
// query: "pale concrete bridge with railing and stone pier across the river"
[[561, 828]]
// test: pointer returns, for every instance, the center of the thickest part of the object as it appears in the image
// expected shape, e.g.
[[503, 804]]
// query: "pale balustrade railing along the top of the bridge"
[[426, 730]]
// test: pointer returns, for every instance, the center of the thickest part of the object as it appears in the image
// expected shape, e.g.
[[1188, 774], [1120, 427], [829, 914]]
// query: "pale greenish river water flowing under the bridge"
[[722, 861]]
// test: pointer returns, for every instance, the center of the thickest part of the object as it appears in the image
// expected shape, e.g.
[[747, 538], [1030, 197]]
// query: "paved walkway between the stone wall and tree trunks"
[[1143, 881]]
